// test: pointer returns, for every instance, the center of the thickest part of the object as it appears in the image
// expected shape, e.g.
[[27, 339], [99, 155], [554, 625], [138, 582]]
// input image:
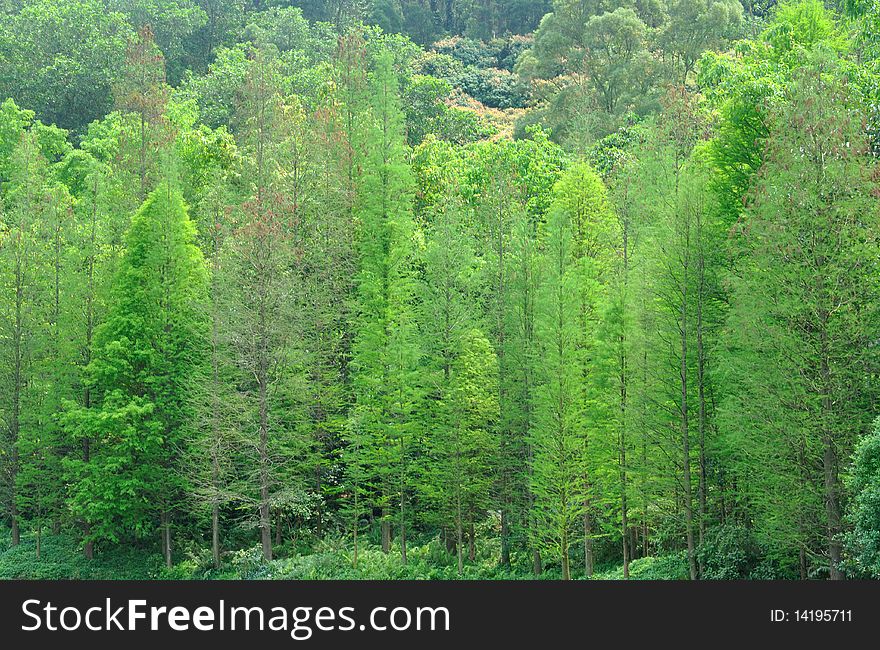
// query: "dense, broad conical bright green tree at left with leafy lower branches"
[[145, 352]]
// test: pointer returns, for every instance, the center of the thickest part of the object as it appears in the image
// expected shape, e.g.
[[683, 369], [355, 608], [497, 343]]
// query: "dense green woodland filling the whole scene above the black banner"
[[440, 289]]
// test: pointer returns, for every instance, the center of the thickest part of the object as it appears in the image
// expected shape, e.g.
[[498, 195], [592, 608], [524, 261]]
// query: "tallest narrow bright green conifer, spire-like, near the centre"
[[385, 353]]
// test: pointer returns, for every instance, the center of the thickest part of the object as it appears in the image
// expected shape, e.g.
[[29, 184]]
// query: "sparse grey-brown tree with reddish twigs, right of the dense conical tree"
[[262, 294]]
